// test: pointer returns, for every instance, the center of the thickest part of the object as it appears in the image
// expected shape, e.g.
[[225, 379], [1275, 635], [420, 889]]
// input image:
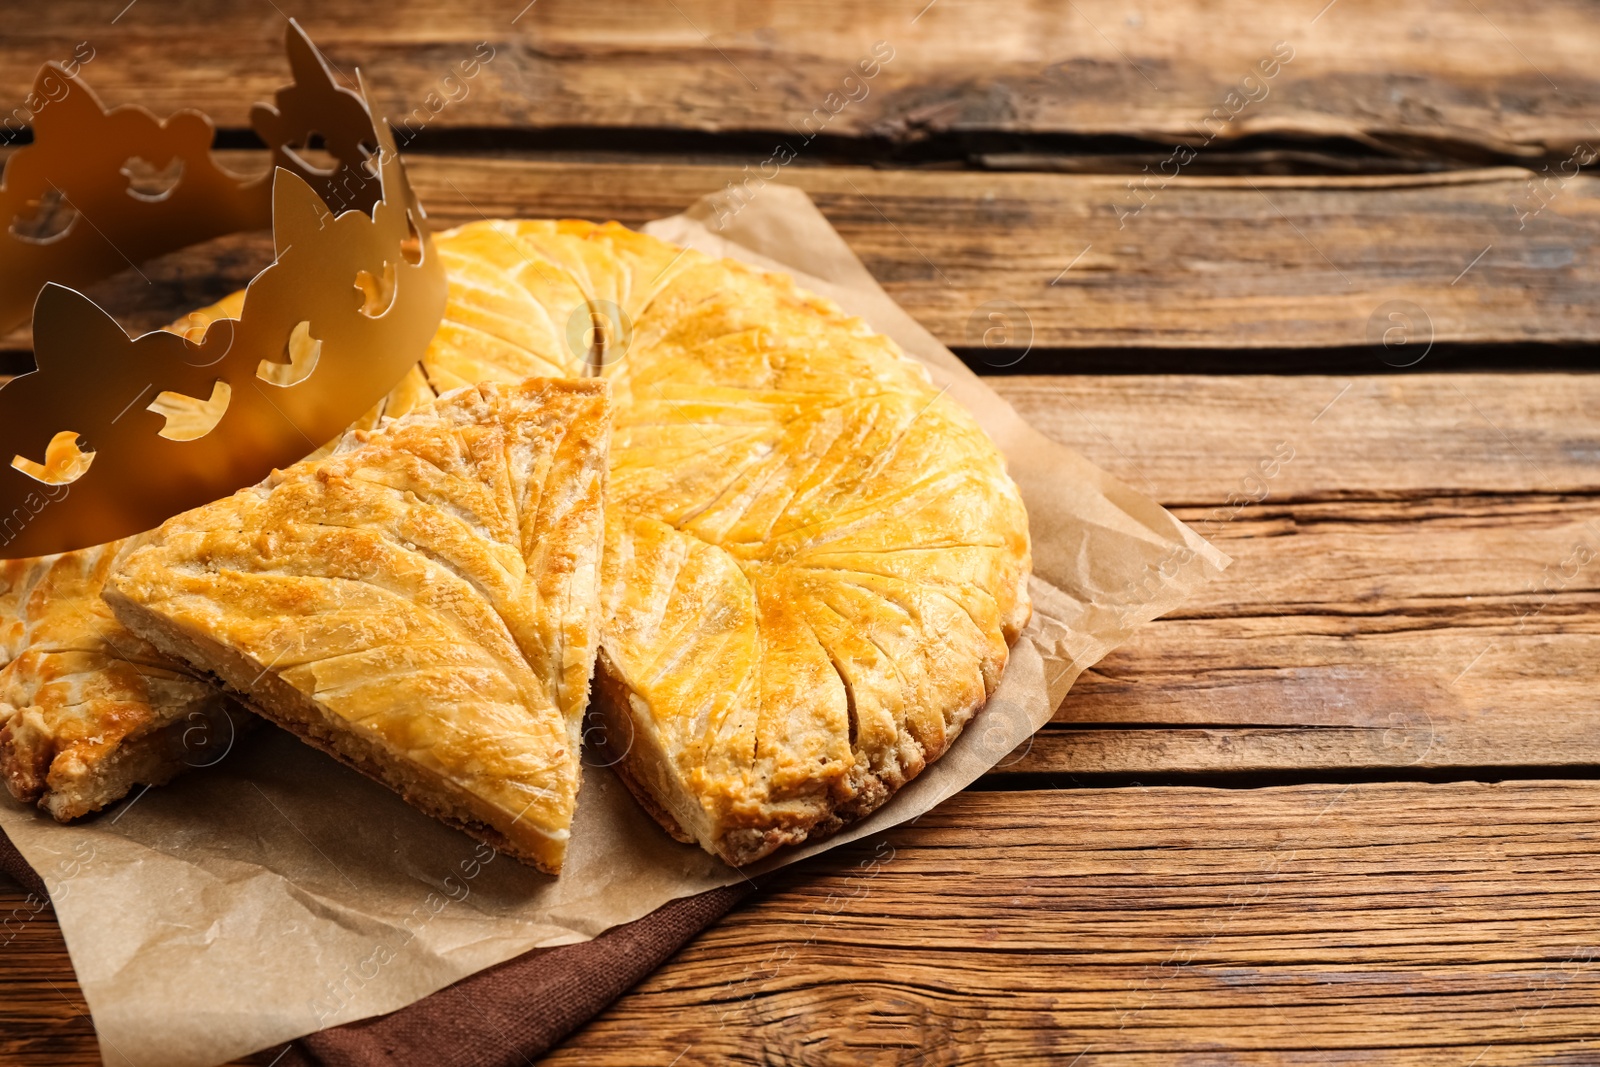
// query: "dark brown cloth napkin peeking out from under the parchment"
[[506, 1015]]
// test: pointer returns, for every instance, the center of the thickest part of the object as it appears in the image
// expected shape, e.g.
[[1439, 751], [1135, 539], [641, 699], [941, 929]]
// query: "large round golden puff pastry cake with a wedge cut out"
[[815, 562]]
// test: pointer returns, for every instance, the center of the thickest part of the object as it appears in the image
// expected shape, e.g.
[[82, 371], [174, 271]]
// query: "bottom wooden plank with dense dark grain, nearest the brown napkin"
[[1314, 925]]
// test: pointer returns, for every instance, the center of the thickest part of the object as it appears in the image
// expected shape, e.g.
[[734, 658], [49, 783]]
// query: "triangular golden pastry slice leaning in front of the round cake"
[[422, 604]]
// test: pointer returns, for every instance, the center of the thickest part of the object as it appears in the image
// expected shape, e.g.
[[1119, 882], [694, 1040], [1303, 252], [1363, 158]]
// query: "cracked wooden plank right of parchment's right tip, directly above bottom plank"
[[1350, 644]]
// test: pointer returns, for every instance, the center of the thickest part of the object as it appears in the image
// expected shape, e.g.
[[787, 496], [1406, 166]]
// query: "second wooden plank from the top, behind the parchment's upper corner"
[[1214, 263]]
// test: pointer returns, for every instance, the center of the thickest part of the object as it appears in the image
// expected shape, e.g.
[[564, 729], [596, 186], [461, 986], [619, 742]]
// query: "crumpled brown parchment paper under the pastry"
[[279, 893]]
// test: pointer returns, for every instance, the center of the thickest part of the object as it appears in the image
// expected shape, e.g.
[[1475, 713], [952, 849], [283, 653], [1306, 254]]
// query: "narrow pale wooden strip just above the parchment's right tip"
[[1193, 439]]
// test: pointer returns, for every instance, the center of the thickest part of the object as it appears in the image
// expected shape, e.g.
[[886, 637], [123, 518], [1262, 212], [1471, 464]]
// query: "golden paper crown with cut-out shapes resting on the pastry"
[[350, 303]]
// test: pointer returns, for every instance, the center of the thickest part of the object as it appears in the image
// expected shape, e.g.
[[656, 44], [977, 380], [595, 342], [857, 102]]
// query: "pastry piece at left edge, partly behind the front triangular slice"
[[87, 709]]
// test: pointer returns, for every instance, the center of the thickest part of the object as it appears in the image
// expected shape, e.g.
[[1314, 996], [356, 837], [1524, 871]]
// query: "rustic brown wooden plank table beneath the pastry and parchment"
[[1338, 810]]
